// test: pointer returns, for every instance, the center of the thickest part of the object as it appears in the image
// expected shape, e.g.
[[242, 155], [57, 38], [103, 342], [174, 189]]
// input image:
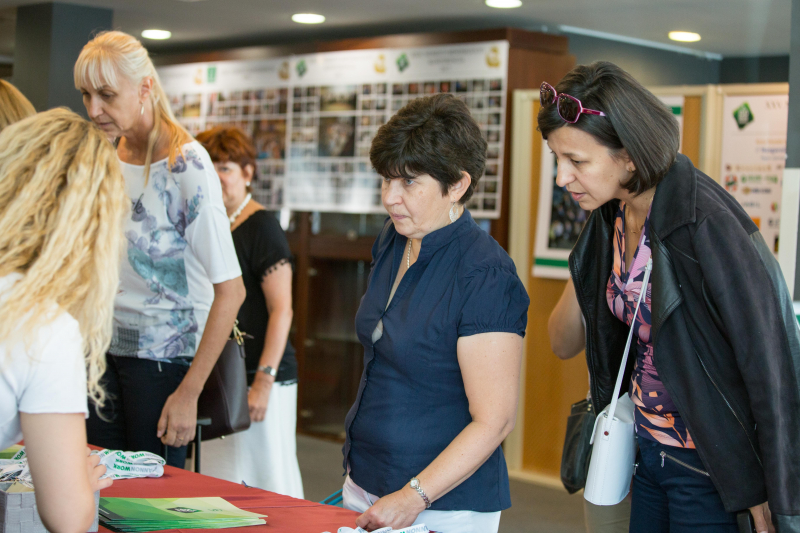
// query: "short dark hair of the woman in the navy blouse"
[[434, 135]]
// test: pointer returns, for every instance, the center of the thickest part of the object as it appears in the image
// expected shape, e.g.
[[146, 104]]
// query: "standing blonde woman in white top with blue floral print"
[[180, 281]]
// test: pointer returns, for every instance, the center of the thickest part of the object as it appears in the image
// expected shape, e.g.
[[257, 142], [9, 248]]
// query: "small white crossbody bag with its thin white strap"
[[613, 439]]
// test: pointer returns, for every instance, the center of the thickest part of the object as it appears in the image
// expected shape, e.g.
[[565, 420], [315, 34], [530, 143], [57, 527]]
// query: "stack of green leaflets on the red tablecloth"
[[152, 514]]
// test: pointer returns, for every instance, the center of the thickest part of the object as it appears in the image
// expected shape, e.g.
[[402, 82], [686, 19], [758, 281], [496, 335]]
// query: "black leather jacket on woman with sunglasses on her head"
[[726, 340]]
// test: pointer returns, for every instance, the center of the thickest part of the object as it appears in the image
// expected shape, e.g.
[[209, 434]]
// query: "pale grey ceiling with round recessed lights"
[[728, 27]]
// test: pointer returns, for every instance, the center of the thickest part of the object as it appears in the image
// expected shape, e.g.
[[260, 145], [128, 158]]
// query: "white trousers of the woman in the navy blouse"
[[357, 499]]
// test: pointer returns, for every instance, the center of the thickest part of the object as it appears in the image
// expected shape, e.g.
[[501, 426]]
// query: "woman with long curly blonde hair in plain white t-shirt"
[[61, 204]]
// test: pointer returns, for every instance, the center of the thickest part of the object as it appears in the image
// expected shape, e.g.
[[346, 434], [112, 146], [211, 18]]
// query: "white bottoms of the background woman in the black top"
[[265, 455]]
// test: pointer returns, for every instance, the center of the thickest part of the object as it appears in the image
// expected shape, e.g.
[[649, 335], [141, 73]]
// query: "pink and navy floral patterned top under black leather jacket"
[[656, 416]]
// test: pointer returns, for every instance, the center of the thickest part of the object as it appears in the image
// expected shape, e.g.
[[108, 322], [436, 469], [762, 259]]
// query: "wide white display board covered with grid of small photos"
[[312, 117]]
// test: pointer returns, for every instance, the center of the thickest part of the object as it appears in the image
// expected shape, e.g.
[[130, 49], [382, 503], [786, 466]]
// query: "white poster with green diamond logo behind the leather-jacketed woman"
[[753, 156]]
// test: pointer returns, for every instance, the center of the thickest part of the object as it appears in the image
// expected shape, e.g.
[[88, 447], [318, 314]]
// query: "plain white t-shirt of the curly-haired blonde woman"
[[49, 376]]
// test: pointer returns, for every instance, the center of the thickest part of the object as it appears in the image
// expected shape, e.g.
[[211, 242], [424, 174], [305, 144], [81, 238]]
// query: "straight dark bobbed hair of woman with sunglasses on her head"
[[635, 120]]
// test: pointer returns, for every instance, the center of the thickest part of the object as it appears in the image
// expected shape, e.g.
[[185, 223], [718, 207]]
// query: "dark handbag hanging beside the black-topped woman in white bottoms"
[[224, 396]]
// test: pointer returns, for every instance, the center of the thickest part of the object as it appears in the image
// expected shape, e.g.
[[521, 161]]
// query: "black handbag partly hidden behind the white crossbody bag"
[[577, 450]]
